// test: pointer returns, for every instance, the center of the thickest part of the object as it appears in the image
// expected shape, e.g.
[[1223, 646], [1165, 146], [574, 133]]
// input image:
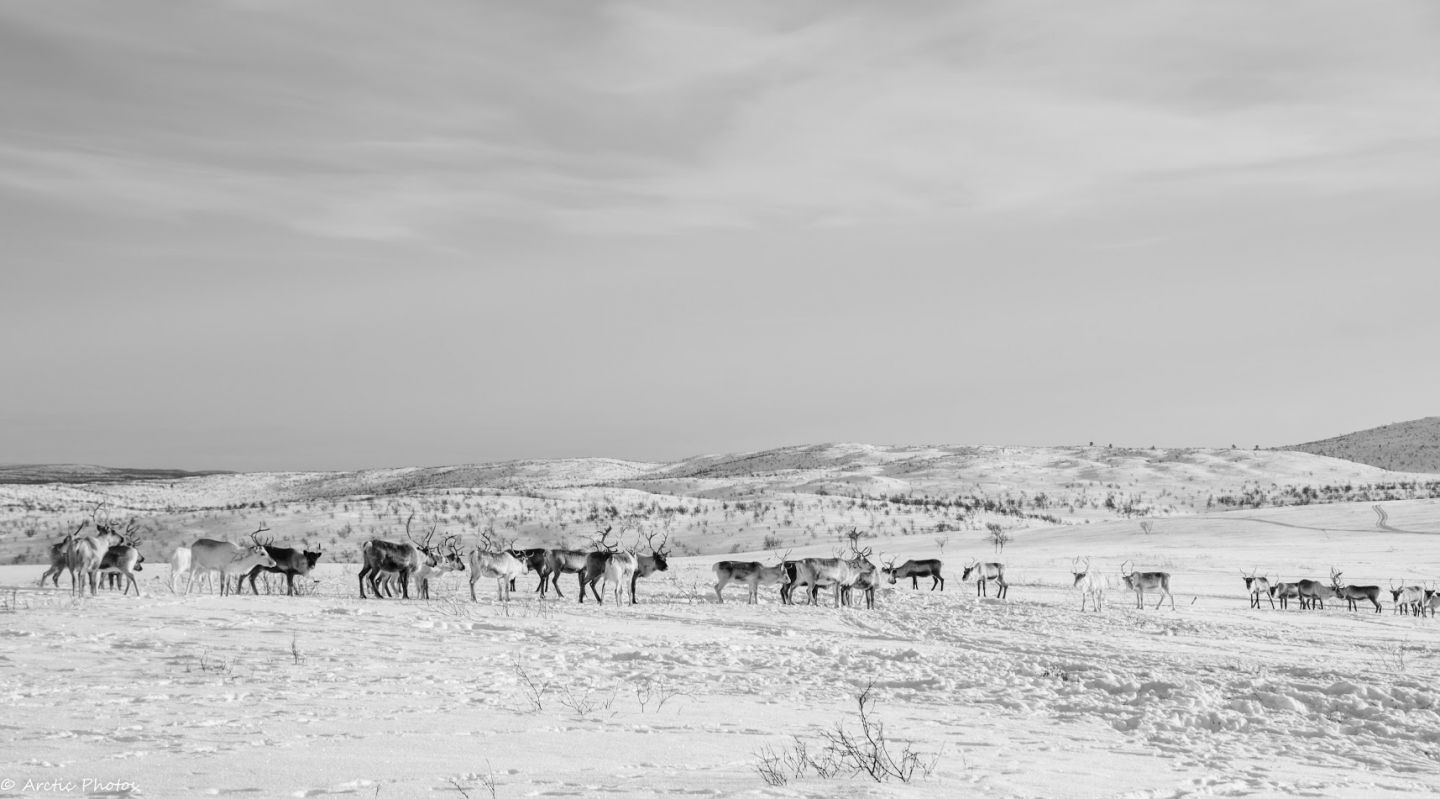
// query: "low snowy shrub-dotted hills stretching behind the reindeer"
[[777, 499]]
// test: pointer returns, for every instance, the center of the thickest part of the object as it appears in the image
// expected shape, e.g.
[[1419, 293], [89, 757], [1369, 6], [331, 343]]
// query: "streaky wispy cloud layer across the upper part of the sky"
[[639, 117]]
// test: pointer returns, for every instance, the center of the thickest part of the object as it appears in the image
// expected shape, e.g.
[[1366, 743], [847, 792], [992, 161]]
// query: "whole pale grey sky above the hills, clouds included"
[[267, 235]]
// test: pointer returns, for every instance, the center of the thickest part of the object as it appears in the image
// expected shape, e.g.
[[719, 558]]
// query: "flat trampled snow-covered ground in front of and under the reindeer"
[[328, 695]]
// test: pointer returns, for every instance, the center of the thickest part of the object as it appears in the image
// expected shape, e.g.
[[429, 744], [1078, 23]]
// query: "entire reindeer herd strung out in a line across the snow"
[[610, 569]]
